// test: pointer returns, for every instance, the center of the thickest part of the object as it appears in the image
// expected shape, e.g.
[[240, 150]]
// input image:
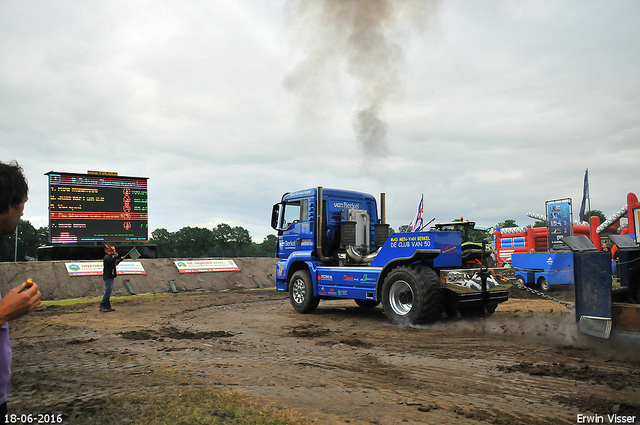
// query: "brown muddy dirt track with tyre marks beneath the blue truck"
[[526, 364]]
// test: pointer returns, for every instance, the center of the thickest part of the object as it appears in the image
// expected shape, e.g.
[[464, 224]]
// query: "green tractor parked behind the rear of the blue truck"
[[475, 248]]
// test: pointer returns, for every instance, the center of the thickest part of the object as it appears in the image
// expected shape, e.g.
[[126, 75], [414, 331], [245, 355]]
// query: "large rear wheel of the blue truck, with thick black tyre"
[[411, 295]]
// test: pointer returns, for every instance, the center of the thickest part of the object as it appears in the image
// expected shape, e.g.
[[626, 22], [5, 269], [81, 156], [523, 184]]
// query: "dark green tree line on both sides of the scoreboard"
[[188, 242]]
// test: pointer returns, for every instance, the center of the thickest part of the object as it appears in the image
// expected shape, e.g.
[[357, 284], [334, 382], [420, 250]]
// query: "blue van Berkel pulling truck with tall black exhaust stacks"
[[333, 244]]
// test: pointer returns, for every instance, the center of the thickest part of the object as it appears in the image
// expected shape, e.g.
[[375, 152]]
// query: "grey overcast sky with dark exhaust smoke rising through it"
[[487, 108]]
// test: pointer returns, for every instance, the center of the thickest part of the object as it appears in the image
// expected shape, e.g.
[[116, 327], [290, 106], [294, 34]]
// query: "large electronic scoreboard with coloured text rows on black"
[[97, 207]]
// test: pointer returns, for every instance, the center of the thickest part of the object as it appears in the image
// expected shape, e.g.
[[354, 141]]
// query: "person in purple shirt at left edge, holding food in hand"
[[22, 299]]
